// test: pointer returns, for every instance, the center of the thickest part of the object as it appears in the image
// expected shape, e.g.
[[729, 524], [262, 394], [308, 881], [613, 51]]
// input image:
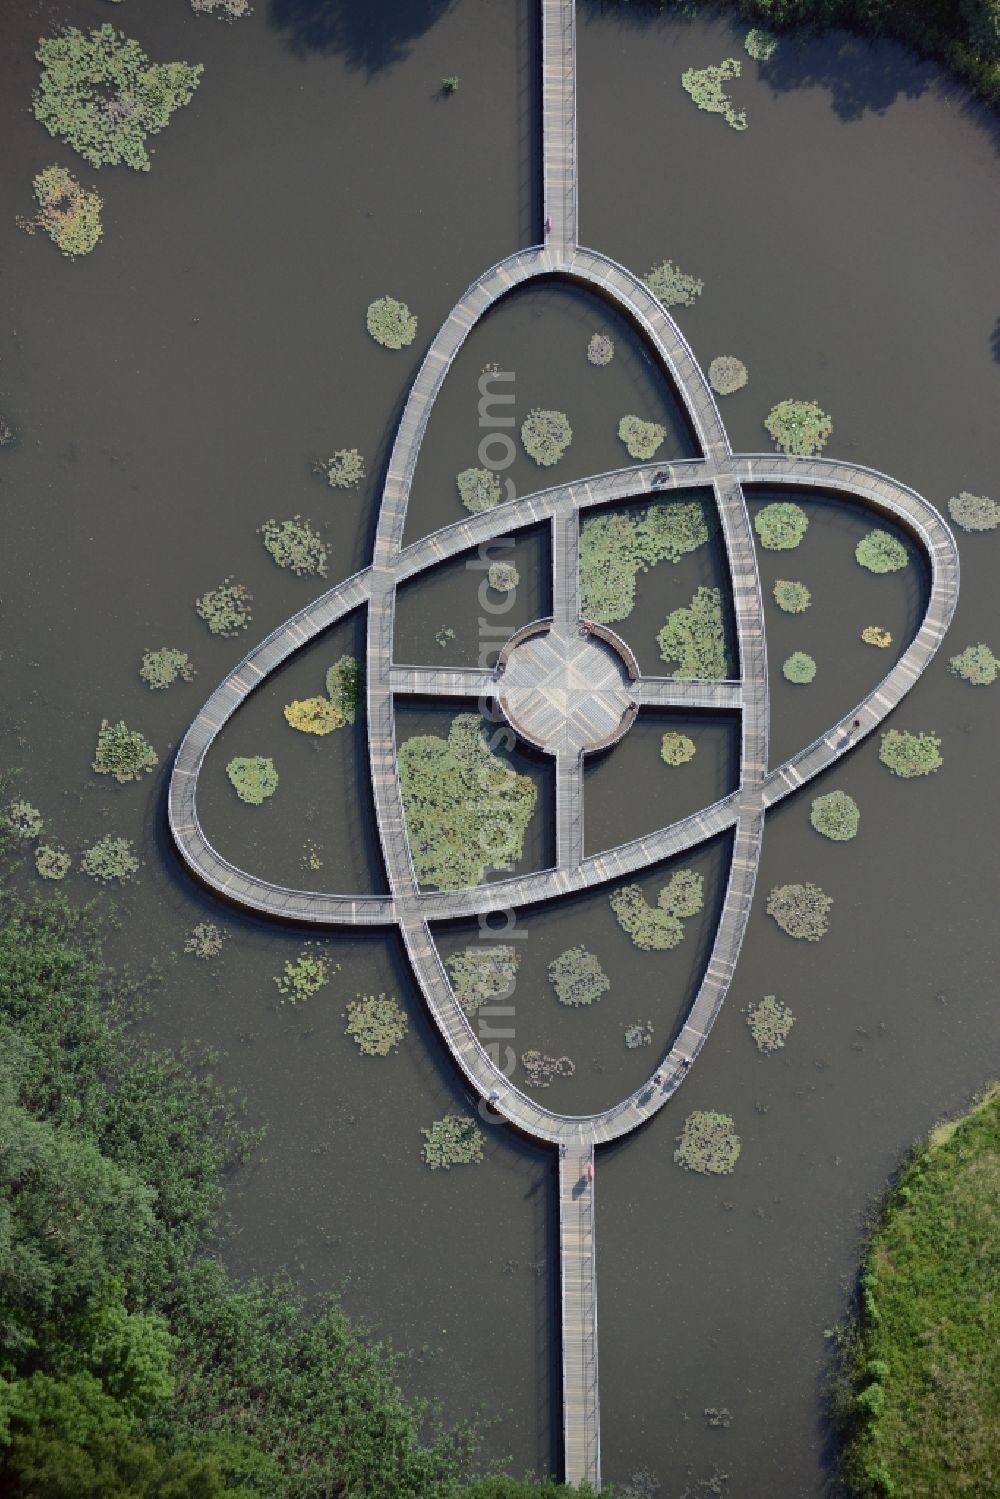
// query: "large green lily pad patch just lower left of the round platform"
[[467, 810]]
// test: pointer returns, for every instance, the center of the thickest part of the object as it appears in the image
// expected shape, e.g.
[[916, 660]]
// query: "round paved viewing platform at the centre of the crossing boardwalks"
[[567, 689]]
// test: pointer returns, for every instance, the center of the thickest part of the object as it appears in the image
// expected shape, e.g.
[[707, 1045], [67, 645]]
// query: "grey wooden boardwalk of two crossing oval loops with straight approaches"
[[741, 815]]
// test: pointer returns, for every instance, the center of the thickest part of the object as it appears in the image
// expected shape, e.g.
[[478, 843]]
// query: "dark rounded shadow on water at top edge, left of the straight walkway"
[[368, 35]]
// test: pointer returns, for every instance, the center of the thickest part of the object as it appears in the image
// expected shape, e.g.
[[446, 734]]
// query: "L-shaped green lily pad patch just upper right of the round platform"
[[618, 545]]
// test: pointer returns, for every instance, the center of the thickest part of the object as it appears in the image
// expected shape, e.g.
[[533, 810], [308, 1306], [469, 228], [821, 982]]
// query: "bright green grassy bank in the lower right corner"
[[921, 1398]]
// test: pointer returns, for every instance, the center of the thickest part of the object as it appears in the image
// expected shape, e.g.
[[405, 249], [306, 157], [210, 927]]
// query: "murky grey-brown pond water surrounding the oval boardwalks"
[[173, 392]]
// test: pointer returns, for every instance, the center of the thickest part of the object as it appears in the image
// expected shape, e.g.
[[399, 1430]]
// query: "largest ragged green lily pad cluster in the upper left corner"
[[103, 97]]
